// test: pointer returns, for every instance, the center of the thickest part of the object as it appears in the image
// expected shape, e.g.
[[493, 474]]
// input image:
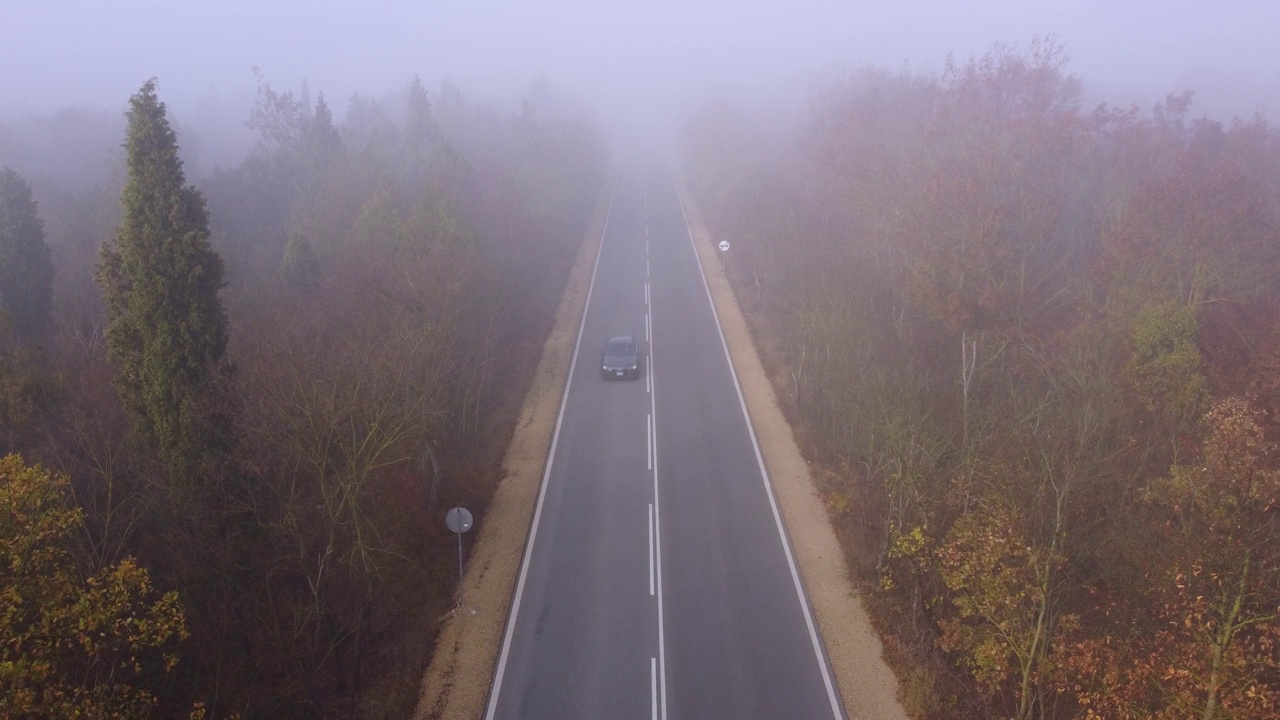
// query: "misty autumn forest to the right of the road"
[[1077, 514]]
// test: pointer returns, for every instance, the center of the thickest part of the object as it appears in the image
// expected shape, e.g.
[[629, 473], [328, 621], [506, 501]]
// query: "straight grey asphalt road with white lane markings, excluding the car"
[[657, 581]]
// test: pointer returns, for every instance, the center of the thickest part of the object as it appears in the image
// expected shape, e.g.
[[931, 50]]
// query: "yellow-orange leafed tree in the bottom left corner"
[[74, 648]]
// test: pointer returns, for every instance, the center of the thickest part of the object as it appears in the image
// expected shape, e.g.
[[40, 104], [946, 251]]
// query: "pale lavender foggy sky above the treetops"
[[60, 53]]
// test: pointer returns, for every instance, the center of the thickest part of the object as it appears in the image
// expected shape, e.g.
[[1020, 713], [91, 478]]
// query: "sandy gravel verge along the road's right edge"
[[866, 683]]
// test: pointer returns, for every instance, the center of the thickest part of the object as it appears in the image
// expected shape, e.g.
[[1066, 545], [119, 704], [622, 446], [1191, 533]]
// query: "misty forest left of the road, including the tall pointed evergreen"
[[236, 408]]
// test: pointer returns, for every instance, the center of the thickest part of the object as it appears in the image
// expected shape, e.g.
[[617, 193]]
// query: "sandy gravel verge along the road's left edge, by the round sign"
[[458, 680]]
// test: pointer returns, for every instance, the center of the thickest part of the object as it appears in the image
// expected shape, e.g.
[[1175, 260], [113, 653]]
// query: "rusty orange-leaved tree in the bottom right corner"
[[1204, 639]]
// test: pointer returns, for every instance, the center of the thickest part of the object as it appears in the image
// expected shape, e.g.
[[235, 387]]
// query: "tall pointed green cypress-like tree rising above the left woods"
[[167, 330]]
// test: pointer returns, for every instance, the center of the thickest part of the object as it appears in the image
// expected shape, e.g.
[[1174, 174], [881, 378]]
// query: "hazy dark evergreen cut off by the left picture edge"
[[26, 268]]
